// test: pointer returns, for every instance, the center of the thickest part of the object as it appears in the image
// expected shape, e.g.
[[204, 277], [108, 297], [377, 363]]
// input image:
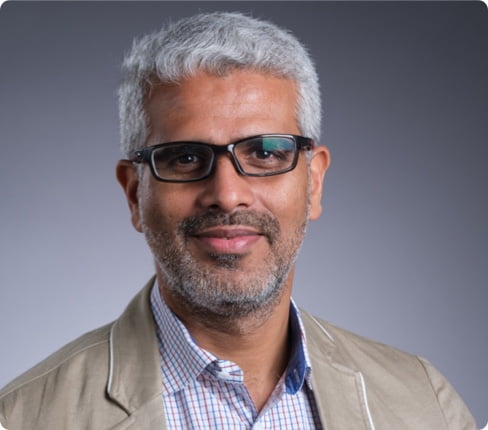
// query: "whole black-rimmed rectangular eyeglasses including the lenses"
[[263, 155]]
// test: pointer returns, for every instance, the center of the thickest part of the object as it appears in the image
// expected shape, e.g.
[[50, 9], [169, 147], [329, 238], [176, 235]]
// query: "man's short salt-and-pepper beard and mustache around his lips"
[[223, 291]]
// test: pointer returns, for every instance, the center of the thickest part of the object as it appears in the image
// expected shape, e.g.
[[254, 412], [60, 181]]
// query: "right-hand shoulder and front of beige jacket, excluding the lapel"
[[417, 395]]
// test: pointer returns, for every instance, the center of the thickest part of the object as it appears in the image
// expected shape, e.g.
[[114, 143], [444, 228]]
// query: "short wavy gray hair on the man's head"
[[217, 43]]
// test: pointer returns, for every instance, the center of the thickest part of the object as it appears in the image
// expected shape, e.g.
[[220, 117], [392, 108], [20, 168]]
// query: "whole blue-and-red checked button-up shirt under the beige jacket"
[[201, 391]]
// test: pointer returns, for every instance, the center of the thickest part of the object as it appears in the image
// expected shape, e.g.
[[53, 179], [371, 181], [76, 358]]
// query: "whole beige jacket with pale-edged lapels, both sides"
[[110, 378]]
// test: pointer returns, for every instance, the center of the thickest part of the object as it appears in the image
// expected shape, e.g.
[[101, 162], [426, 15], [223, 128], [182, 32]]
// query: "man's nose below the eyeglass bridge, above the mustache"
[[226, 189]]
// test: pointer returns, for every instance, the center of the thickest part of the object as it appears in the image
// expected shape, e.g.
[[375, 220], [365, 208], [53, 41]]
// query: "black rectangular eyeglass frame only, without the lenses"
[[144, 155]]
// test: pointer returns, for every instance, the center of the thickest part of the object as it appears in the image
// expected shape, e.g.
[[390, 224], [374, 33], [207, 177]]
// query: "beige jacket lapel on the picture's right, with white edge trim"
[[338, 389]]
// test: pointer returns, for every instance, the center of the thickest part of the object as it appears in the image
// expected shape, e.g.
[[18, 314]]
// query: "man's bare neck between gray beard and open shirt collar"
[[257, 343]]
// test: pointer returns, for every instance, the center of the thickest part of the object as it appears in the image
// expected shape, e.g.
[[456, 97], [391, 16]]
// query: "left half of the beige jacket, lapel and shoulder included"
[[108, 377]]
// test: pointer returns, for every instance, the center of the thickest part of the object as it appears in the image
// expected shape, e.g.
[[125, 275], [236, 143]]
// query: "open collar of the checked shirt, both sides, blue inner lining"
[[182, 360]]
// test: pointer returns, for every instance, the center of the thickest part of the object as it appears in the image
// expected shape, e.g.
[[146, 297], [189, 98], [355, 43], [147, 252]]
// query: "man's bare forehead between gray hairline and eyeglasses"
[[241, 103]]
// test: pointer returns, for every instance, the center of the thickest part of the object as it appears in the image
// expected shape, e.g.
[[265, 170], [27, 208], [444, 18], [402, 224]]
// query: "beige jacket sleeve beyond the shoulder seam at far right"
[[454, 410]]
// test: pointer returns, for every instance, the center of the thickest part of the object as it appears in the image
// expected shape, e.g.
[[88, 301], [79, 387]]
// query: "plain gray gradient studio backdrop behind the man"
[[400, 253]]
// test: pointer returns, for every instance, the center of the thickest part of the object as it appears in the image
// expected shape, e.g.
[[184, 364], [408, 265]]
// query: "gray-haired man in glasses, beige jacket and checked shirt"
[[220, 119]]
